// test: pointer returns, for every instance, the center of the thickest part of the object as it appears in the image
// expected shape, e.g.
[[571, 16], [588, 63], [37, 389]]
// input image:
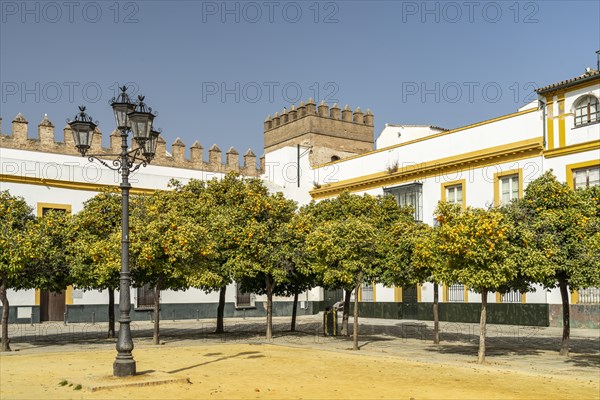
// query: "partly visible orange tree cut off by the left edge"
[[15, 214]]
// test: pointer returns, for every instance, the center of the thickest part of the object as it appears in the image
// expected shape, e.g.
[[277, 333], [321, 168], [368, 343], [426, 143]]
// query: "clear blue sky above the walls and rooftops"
[[214, 70]]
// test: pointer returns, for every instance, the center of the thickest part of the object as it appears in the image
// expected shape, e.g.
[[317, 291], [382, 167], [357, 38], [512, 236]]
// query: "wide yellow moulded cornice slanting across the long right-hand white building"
[[459, 163]]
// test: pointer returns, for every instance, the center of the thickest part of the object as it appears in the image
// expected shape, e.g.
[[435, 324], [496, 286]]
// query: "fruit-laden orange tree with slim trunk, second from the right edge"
[[479, 255]]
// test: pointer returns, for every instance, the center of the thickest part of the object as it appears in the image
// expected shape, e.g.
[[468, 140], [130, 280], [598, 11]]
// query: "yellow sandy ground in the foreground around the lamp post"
[[294, 369]]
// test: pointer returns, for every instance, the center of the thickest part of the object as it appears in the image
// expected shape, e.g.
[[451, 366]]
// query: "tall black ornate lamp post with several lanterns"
[[134, 118]]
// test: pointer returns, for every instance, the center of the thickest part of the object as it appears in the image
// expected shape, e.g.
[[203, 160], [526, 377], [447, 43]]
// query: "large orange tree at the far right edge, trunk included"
[[558, 232]]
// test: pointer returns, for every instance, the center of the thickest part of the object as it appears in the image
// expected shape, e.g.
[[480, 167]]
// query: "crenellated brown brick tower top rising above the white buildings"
[[333, 133]]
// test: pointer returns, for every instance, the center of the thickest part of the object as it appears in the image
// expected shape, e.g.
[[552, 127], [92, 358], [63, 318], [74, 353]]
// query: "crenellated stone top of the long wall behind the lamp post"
[[47, 142]]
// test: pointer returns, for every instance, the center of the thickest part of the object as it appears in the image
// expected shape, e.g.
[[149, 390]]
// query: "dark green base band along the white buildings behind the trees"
[[582, 316]]
